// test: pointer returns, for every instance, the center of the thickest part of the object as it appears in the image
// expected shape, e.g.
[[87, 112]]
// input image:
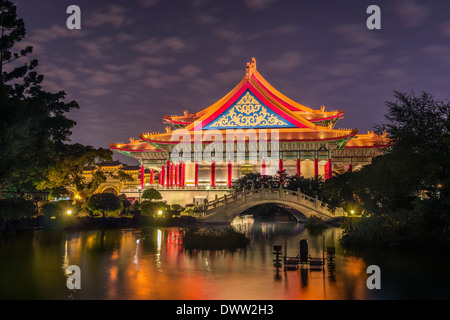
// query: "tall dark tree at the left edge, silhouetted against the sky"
[[33, 125]]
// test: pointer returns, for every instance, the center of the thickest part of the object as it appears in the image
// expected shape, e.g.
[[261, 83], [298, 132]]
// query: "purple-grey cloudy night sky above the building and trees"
[[135, 61]]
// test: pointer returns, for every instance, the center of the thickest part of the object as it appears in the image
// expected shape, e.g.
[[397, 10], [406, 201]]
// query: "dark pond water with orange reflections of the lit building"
[[150, 263]]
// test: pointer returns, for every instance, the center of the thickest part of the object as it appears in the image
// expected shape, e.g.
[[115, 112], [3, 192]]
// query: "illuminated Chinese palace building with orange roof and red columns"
[[267, 127]]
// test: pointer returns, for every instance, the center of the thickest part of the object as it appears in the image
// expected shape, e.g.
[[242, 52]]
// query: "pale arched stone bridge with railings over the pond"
[[226, 208]]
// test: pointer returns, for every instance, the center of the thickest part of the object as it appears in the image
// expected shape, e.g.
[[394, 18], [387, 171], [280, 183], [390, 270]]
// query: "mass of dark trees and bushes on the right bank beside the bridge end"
[[406, 190]]
